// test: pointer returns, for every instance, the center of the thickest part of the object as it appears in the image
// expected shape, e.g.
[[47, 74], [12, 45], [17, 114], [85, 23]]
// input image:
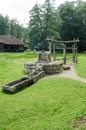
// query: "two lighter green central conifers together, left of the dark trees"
[[44, 22]]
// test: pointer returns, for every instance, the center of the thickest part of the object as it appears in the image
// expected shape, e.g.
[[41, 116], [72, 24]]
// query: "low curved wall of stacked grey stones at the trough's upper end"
[[48, 68]]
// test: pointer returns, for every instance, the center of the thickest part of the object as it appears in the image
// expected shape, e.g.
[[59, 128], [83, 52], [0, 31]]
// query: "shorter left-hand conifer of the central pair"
[[35, 26]]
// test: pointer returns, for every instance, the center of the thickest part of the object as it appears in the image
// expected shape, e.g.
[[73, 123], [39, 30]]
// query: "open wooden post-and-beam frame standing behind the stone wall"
[[67, 45]]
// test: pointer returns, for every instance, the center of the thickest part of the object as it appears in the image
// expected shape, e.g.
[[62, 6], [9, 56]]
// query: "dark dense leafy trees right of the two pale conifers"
[[74, 22]]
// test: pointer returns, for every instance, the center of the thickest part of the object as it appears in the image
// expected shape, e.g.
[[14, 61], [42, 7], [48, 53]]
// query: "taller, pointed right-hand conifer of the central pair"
[[52, 21]]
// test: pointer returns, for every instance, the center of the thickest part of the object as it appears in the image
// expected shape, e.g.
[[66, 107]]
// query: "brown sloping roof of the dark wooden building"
[[6, 39]]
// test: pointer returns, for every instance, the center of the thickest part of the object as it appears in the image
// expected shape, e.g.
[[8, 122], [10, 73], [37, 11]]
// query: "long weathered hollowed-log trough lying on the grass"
[[22, 83]]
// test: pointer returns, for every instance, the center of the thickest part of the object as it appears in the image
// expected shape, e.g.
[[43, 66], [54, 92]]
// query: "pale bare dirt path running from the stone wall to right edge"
[[69, 74]]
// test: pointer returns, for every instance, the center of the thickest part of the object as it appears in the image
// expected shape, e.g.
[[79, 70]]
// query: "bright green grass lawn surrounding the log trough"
[[50, 104]]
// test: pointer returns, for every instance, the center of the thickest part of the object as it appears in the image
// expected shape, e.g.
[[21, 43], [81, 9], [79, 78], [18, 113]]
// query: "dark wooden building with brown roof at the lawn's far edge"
[[10, 44]]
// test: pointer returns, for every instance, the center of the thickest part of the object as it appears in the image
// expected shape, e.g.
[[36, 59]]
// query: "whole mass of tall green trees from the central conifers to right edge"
[[68, 21]]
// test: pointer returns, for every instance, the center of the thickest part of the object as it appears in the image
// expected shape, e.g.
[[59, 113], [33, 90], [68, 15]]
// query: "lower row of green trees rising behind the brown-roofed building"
[[12, 27]]
